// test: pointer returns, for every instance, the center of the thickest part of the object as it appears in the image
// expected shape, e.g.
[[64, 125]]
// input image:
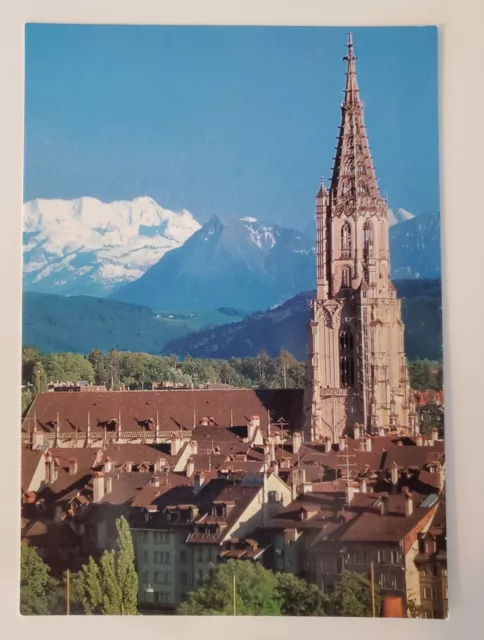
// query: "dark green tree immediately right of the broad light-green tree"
[[300, 598]]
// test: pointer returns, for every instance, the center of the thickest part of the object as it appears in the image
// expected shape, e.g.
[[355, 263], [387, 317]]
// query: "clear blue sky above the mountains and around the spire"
[[227, 120]]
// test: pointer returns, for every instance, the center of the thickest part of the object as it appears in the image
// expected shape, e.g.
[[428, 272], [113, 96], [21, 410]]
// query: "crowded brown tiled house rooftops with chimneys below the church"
[[203, 484]]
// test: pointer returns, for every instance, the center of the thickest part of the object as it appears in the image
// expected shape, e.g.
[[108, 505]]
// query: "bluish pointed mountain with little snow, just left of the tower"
[[240, 263]]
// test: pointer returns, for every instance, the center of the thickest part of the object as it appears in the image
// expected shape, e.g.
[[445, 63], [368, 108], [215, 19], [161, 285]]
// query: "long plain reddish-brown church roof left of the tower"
[[176, 408]]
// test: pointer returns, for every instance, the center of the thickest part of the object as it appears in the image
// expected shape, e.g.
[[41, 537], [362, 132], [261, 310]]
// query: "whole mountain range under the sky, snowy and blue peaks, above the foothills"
[[138, 252]]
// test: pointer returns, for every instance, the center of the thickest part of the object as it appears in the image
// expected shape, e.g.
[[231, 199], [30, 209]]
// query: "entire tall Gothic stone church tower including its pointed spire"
[[356, 370]]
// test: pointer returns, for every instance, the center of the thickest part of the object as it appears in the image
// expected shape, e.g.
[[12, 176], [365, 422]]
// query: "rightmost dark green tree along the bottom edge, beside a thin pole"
[[351, 596]]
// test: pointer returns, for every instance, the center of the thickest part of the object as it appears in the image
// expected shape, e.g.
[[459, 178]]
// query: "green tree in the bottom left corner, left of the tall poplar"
[[36, 583]]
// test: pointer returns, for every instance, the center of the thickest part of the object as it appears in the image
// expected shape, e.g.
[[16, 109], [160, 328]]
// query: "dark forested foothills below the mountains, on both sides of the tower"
[[80, 324]]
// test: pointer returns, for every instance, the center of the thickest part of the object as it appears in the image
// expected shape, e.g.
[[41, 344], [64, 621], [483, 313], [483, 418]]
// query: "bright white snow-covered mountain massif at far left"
[[85, 246]]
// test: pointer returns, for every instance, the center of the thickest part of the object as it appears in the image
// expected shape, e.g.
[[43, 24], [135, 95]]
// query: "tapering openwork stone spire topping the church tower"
[[353, 174]]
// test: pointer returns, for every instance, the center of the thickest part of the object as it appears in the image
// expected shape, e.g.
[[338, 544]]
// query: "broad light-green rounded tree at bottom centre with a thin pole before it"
[[255, 592]]
